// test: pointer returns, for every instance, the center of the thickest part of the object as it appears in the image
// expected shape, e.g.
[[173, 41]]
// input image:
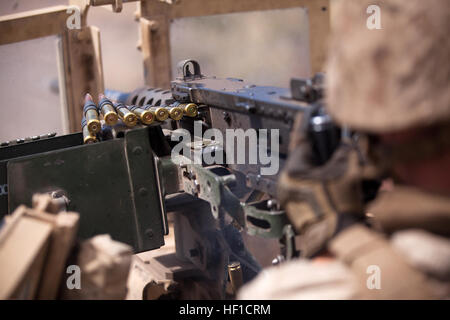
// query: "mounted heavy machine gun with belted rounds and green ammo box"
[[122, 176]]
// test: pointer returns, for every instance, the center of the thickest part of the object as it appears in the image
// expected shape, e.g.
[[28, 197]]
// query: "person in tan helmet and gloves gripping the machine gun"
[[390, 85]]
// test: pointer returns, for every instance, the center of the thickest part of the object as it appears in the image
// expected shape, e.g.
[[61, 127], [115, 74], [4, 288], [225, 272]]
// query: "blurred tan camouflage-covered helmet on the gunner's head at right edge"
[[393, 78]]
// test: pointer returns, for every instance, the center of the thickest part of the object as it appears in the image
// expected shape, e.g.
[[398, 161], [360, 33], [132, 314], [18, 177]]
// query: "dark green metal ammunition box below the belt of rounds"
[[112, 184]]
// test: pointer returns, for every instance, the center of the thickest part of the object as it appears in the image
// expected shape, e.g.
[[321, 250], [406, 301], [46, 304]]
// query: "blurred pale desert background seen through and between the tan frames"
[[266, 48]]
